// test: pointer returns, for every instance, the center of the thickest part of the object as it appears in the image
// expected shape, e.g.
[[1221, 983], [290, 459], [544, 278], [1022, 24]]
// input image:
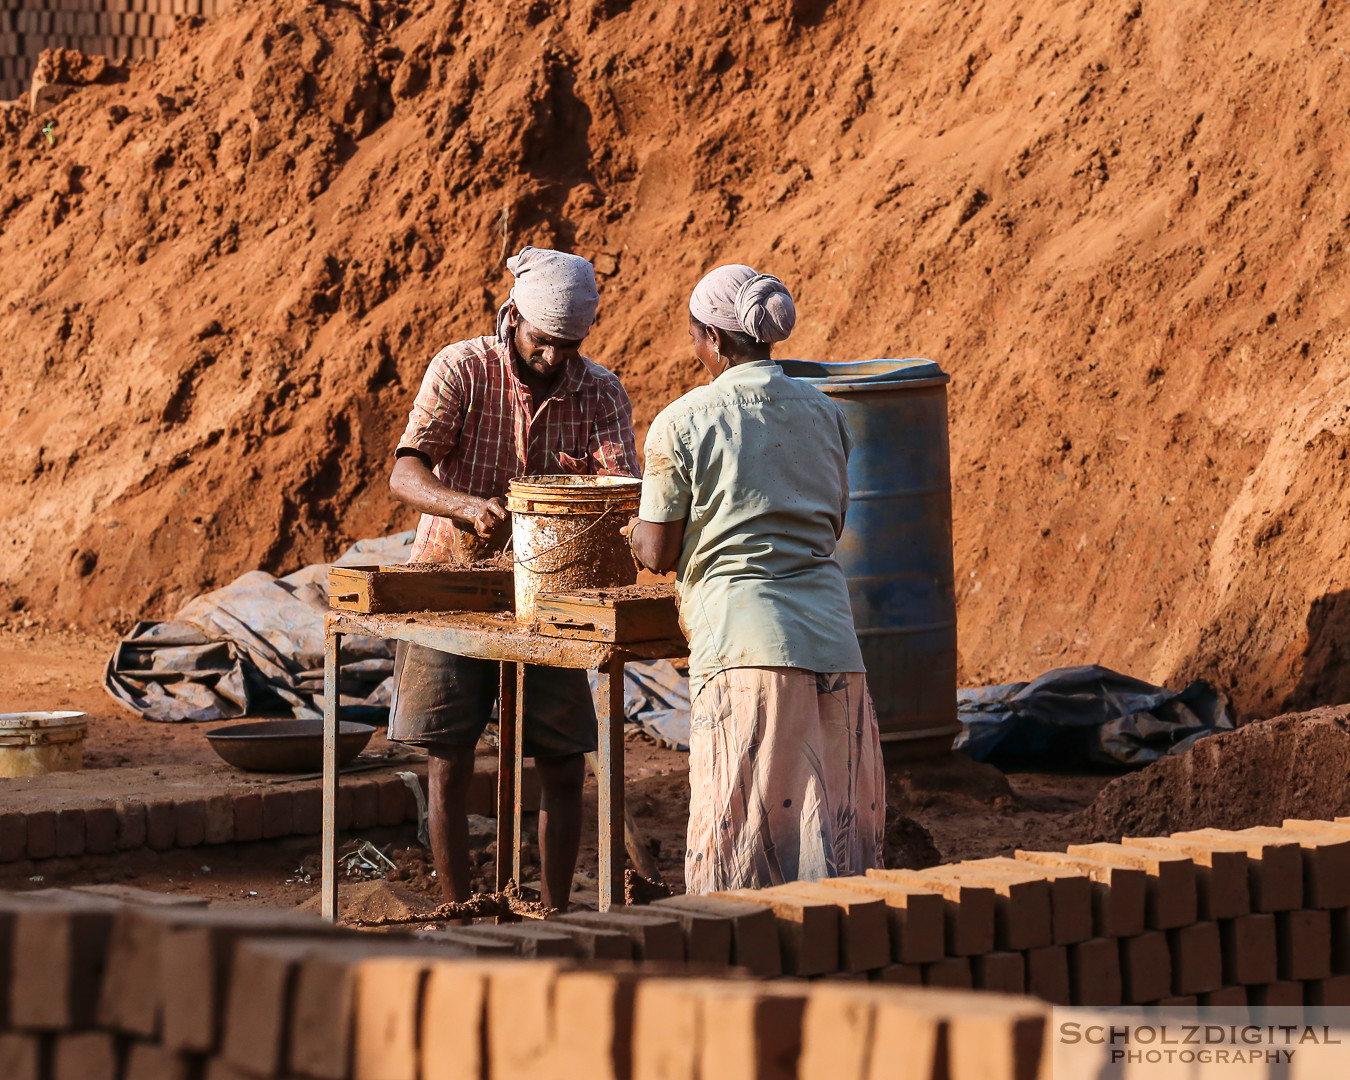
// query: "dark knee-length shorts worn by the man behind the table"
[[442, 700]]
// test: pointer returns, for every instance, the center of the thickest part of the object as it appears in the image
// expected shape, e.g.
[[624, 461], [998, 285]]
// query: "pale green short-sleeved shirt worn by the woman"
[[758, 465]]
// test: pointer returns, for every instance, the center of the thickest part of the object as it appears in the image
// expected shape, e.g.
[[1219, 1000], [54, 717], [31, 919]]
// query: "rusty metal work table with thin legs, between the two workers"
[[499, 638]]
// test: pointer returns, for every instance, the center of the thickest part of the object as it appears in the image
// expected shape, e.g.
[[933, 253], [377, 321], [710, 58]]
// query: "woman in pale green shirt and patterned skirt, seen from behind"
[[745, 496]]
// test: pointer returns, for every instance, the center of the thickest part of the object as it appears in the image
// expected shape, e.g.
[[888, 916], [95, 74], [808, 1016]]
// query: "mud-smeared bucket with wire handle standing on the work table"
[[565, 535]]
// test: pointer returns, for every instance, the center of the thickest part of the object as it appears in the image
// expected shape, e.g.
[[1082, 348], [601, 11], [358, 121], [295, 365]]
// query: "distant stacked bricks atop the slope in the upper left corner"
[[114, 29]]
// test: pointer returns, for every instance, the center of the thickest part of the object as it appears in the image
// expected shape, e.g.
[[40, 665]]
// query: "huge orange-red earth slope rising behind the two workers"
[[1118, 226]]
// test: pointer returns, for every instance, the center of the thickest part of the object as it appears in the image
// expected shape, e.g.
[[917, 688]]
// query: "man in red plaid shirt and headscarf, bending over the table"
[[489, 410]]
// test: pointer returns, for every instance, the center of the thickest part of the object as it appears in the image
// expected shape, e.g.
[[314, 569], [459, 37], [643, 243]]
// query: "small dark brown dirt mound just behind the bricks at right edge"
[[1290, 767]]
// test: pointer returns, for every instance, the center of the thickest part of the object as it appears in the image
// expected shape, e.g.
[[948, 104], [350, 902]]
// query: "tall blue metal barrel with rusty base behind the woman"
[[897, 545]]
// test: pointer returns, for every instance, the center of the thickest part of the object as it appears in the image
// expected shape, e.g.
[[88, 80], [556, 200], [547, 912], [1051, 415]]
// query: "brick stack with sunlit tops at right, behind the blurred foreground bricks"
[[1217, 917]]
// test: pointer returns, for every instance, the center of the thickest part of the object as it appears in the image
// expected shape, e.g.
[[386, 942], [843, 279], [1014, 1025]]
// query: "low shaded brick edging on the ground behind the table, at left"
[[226, 817]]
